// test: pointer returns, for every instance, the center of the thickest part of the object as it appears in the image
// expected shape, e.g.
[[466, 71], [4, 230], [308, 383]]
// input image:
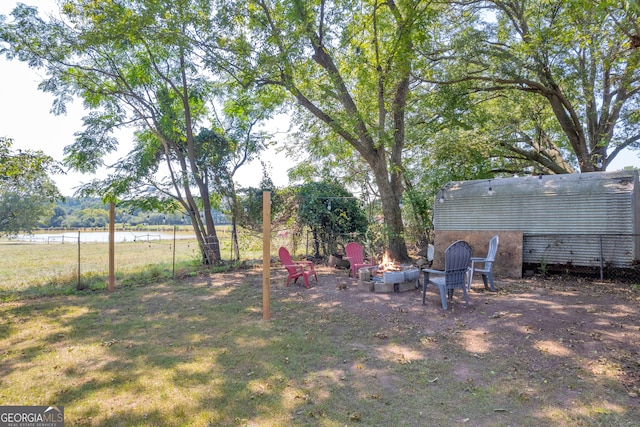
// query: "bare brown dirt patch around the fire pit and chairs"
[[562, 329]]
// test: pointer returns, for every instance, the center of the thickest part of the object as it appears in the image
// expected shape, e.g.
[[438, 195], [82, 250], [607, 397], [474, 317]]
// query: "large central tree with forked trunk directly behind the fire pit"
[[347, 65]]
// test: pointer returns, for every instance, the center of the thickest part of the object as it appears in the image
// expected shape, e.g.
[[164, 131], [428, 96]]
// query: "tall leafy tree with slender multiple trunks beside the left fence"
[[134, 64]]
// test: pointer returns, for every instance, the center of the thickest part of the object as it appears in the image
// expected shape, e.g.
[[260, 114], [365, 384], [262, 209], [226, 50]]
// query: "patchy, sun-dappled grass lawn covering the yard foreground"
[[196, 352]]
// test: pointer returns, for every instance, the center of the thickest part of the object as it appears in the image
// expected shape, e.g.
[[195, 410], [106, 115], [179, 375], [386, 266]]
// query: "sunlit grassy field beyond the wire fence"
[[54, 268]]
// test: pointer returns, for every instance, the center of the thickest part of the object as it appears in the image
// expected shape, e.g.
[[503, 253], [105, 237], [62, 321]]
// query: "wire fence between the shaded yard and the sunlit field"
[[77, 256]]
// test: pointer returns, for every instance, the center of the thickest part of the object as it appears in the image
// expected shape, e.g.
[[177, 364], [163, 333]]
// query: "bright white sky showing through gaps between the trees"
[[25, 117]]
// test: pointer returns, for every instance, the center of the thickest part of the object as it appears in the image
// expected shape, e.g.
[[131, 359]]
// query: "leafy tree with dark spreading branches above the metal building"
[[574, 61]]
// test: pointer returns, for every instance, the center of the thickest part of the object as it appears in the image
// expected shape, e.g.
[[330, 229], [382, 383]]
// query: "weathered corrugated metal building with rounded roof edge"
[[565, 219]]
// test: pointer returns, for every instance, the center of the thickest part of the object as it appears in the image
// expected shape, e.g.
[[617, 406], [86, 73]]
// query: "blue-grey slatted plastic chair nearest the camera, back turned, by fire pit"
[[456, 267]]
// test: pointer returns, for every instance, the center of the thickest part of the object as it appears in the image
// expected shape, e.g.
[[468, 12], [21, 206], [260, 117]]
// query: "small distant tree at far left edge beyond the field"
[[27, 194]]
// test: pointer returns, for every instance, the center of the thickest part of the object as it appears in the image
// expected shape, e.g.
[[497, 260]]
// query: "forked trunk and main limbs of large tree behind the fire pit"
[[345, 114]]
